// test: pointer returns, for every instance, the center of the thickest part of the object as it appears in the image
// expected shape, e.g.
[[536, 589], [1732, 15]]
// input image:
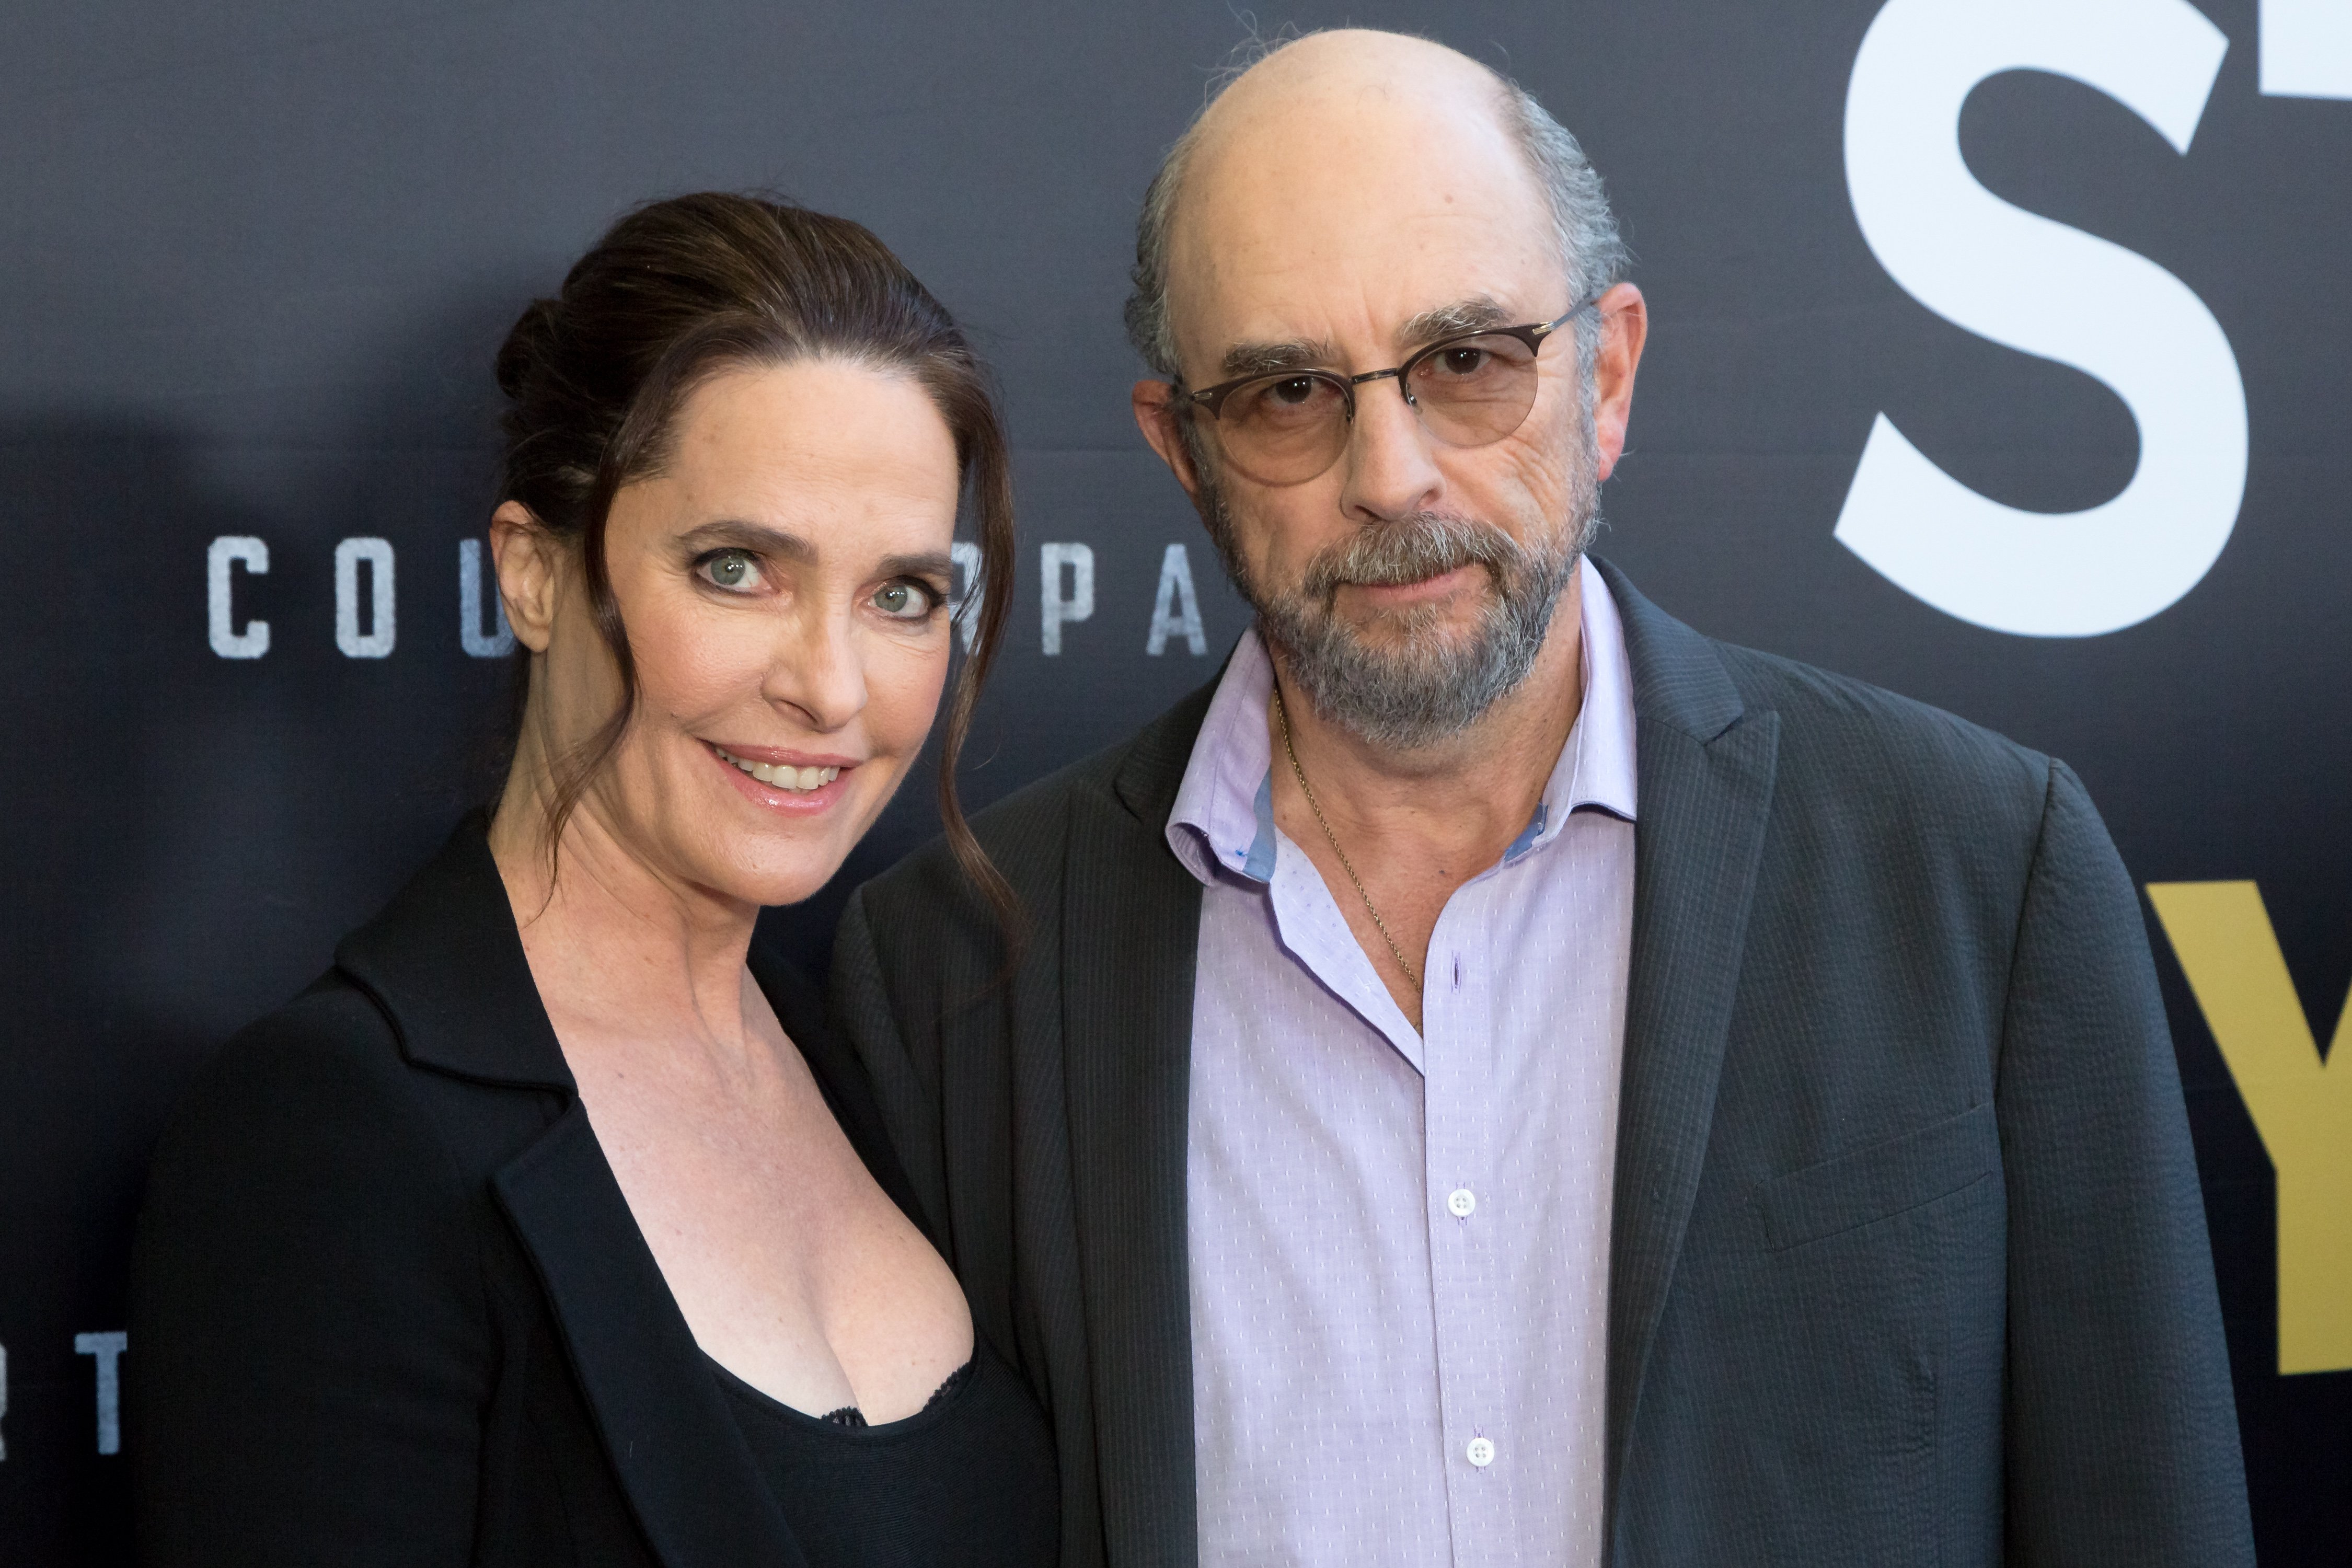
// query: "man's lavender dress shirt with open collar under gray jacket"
[[1401, 1240]]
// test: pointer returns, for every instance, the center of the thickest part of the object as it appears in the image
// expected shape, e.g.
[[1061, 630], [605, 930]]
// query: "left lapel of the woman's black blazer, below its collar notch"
[[664, 1421]]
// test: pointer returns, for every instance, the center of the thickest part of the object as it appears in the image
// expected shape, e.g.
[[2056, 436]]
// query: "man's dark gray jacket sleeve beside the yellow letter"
[[2123, 1435]]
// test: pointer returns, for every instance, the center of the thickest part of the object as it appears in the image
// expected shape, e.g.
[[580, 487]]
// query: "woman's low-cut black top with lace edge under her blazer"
[[963, 1485]]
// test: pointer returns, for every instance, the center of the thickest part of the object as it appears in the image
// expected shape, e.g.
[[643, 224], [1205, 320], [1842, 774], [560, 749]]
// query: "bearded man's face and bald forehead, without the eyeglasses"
[[1412, 582]]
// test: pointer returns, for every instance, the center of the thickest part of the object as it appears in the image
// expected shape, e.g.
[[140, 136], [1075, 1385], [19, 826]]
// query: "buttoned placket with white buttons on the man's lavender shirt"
[[1464, 1219]]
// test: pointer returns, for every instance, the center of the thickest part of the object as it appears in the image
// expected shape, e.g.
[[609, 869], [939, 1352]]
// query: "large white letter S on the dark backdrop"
[[2045, 290]]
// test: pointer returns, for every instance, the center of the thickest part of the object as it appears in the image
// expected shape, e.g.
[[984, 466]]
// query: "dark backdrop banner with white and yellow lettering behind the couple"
[[2003, 356]]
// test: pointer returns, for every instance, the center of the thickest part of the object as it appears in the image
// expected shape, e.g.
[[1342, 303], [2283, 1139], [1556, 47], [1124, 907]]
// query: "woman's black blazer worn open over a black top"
[[389, 1304]]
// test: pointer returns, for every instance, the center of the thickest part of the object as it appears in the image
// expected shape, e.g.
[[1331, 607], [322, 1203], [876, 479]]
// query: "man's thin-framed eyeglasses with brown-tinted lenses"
[[1469, 389]]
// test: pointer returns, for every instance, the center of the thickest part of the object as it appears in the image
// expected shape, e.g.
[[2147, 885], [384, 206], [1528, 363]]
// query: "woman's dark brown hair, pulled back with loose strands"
[[686, 290]]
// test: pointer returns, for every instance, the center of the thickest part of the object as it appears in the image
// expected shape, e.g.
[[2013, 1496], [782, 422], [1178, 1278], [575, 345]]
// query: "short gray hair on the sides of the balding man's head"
[[1589, 236]]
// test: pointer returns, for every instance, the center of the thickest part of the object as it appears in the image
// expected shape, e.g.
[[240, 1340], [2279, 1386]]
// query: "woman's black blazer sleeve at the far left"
[[309, 1355]]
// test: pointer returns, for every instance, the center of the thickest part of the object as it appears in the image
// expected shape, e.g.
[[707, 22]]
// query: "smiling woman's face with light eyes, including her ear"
[[784, 587]]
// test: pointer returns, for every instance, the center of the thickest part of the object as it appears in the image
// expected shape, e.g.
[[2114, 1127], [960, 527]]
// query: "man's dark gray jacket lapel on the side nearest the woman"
[[1130, 932]]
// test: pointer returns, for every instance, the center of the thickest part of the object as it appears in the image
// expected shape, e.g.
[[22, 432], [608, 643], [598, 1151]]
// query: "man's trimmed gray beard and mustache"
[[1412, 690]]
